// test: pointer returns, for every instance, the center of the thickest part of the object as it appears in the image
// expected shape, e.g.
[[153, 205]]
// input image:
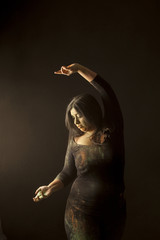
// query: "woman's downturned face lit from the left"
[[79, 121]]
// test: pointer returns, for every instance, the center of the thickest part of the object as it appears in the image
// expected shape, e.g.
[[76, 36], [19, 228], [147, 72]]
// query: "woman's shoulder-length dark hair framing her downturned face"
[[89, 108]]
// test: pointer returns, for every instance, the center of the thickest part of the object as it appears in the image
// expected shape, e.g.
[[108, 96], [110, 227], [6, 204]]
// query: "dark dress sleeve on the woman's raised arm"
[[112, 111]]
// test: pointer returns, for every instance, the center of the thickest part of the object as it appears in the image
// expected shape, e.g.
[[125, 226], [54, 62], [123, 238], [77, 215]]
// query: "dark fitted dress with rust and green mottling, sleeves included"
[[95, 209]]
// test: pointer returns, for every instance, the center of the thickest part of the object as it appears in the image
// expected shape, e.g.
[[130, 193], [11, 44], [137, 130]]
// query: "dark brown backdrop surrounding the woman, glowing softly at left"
[[120, 41]]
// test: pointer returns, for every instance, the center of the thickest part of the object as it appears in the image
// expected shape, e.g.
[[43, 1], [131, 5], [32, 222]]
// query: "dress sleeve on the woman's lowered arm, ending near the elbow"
[[69, 172]]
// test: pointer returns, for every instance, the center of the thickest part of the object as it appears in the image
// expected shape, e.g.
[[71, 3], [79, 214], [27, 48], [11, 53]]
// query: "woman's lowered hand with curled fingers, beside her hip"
[[42, 193]]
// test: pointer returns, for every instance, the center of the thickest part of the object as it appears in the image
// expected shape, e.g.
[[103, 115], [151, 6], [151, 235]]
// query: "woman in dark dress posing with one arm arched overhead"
[[94, 162]]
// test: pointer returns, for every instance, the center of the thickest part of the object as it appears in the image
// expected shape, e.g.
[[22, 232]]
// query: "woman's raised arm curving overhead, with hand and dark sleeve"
[[112, 111]]
